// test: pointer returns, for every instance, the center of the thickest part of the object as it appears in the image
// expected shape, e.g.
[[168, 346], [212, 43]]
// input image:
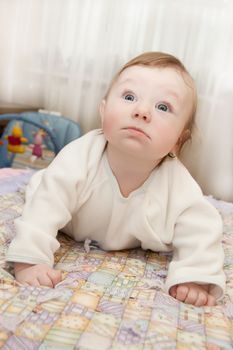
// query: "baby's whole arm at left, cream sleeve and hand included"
[[52, 197]]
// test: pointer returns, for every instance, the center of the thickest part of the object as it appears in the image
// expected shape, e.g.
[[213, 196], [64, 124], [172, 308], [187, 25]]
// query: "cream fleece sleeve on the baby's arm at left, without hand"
[[51, 198]]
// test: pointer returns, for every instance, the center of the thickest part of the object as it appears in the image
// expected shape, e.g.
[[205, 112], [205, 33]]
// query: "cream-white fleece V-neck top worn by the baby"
[[79, 195]]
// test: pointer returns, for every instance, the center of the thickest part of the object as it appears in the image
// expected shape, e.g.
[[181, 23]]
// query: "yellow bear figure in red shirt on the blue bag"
[[16, 139]]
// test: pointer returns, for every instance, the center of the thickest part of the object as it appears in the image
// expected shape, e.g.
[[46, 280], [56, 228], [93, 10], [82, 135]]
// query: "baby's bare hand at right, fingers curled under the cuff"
[[193, 293]]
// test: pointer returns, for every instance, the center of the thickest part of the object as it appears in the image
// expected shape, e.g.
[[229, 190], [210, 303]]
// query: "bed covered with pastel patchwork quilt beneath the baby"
[[106, 300]]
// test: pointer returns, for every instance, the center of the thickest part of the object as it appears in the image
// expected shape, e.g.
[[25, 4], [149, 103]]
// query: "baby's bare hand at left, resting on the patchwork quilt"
[[36, 275]]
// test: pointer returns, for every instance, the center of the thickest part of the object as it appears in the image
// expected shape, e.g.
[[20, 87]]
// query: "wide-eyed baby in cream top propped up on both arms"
[[124, 187]]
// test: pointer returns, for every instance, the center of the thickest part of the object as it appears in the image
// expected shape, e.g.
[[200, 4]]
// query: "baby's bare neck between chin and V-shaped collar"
[[130, 172]]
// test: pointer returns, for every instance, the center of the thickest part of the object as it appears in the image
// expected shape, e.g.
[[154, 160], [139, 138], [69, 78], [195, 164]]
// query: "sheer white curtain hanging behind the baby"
[[61, 54]]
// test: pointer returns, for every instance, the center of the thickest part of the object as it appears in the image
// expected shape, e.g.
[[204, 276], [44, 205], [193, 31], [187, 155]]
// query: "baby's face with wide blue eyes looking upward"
[[146, 111]]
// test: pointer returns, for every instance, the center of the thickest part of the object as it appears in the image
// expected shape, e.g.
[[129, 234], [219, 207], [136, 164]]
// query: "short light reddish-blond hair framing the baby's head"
[[162, 60]]
